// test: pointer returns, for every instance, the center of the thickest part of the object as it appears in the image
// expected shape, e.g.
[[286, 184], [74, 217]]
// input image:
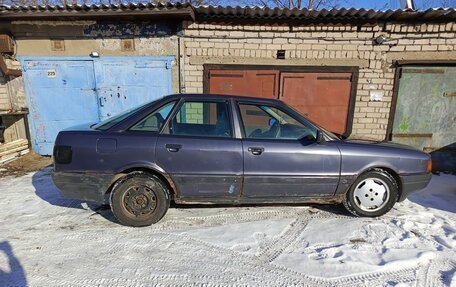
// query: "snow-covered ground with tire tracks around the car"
[[47, 240]]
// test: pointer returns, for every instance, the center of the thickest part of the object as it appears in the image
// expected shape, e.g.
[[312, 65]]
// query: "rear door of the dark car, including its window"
[[198, 150]]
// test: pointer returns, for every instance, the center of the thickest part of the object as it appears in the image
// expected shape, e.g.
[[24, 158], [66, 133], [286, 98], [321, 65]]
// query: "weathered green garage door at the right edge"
[[425, 114]]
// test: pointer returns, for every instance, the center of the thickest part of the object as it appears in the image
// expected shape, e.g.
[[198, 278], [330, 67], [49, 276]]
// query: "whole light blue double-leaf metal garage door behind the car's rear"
[[63, 92]]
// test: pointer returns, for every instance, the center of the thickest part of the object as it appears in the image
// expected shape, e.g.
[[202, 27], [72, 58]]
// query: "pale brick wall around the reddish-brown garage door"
[[321, 45]]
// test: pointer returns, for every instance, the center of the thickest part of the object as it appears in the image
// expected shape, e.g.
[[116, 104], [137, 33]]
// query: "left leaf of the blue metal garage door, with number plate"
[[60, 94]]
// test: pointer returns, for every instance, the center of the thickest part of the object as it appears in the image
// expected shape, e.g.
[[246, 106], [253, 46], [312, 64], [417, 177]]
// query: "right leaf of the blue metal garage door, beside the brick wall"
[[126, 82]]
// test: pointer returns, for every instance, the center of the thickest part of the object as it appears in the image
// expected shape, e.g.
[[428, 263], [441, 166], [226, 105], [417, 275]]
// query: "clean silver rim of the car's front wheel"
[[371, 194]]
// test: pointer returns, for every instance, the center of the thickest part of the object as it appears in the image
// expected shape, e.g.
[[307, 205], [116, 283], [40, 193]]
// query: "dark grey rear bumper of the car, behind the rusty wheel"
[[82, 186]]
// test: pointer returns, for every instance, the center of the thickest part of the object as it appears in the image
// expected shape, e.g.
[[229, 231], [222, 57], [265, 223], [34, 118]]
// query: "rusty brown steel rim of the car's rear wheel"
[[140, 200]]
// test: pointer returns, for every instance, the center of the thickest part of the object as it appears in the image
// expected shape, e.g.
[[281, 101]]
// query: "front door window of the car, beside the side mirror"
[[269, 122]]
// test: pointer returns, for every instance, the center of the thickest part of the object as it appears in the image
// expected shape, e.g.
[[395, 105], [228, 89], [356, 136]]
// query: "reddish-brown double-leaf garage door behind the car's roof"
[[323, 97]]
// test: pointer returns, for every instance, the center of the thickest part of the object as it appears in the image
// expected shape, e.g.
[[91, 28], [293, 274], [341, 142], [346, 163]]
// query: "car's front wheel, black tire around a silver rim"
[[379, 177]]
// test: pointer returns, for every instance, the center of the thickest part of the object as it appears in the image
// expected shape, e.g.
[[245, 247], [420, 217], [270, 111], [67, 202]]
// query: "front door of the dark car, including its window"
[[282, 156]]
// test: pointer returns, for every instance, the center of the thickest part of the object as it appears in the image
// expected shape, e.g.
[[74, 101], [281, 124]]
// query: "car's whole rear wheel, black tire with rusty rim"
[[139, 199]]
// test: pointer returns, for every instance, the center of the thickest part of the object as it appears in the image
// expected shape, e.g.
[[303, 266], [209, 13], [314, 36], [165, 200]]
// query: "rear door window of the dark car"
[[202, 118]]
